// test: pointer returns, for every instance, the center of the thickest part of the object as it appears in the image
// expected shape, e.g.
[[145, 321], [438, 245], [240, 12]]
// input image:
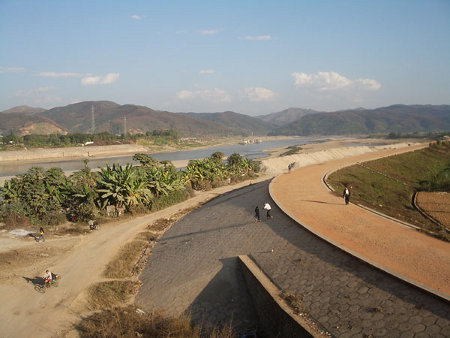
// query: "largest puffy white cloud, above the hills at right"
[[330, 81]]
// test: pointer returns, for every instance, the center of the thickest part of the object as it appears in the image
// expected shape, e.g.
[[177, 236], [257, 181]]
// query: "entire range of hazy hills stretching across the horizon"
[[112, 117]]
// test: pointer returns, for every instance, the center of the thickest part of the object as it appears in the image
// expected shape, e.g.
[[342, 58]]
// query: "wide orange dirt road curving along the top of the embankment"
[[389, 244]]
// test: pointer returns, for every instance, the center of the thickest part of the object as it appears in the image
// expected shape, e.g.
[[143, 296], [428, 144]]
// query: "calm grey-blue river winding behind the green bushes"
[[251, 151]]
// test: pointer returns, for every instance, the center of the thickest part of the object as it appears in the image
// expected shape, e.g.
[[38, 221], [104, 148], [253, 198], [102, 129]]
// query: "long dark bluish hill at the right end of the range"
[[396, 118]]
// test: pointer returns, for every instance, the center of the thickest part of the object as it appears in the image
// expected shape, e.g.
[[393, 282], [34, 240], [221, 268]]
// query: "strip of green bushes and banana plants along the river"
[[48, 197]]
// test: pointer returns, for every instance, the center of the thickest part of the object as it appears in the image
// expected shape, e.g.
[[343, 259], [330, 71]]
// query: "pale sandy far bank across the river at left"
[[73, 152]]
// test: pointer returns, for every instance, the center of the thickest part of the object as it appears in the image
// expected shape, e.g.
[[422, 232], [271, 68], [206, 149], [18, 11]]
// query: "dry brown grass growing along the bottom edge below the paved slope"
[[132, 322]]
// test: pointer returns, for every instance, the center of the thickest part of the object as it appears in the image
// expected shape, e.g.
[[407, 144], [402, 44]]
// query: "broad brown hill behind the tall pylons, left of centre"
[[110, 116]]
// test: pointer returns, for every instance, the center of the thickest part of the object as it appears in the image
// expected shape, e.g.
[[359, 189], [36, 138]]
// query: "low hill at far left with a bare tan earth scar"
[[21, 124]]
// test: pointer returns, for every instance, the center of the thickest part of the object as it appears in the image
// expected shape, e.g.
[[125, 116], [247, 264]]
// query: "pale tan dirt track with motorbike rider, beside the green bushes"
[[80, 261]]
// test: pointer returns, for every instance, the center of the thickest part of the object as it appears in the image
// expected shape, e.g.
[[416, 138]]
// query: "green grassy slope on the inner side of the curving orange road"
[[388, 184]]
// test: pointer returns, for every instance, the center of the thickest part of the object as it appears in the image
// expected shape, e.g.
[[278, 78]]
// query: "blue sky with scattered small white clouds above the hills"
[[251, 57]]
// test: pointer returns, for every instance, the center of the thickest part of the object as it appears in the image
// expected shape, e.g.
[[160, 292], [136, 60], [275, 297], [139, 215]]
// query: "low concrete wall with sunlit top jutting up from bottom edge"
[[276, 318]]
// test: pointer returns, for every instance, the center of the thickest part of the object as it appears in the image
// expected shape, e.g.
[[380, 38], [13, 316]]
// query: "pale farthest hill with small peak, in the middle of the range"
[[239, 123]]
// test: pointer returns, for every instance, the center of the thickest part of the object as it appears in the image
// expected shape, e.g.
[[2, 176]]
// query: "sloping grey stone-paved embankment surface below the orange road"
[[193, 269]]
